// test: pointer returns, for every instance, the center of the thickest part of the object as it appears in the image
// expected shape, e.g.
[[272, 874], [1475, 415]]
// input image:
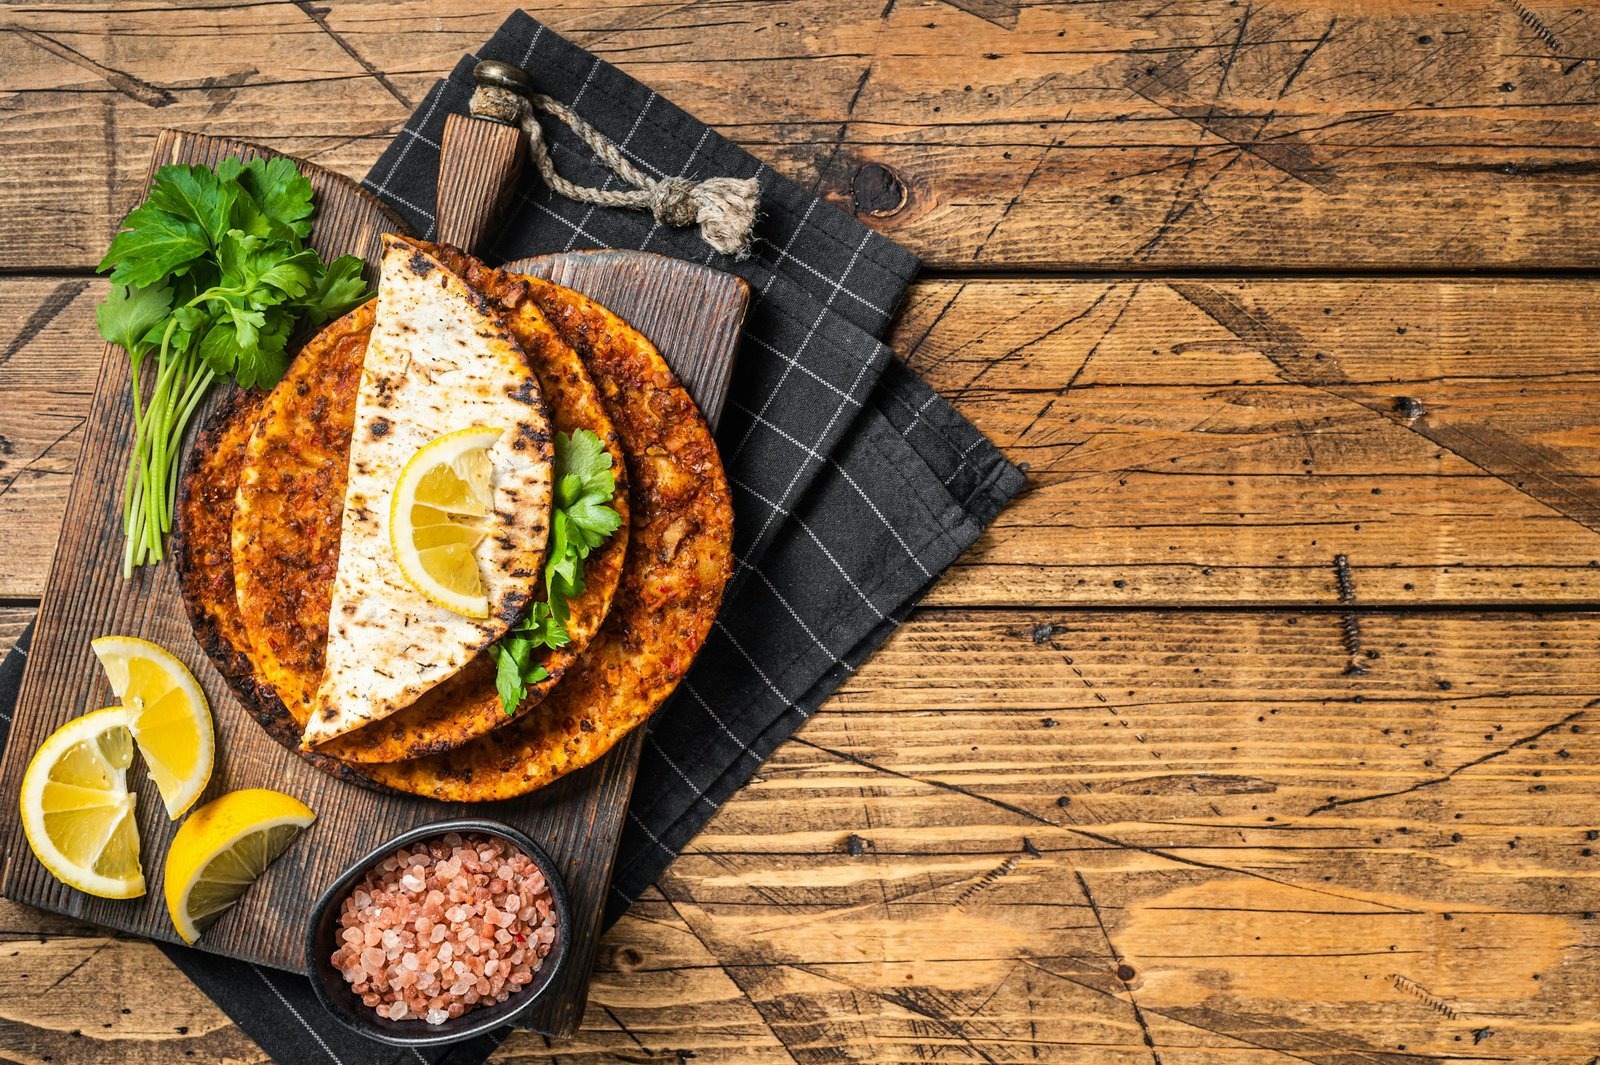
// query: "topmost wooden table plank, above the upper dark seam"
[[988, 134]]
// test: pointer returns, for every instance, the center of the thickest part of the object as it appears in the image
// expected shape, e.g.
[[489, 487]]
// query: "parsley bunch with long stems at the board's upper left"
[[210, 276]]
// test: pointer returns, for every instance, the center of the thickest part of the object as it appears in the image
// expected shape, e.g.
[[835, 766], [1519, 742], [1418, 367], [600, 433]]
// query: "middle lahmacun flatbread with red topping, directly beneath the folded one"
[[287, 524]]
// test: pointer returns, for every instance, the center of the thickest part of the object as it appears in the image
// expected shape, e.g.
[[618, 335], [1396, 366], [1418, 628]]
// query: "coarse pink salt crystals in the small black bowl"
[[410, 957]]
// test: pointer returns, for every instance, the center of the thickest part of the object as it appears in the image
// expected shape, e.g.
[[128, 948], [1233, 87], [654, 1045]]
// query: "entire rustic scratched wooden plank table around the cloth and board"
[[1262, 728]]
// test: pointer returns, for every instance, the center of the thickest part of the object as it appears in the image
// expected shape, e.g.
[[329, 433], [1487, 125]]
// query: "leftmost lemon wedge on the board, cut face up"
[[78, 812]]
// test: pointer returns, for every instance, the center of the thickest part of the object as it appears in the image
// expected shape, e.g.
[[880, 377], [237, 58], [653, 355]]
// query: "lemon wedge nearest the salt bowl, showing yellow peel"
[[223, 848]]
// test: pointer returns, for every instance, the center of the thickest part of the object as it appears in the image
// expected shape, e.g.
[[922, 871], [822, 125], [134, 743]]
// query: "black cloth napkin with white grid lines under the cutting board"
[[855, 484]]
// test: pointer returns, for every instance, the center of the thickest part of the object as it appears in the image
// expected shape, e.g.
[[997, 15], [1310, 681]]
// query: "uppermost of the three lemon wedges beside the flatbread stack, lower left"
[[169, 716]]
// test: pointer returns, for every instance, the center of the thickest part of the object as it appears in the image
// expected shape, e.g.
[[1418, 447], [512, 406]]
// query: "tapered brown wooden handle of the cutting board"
[[479, 162]]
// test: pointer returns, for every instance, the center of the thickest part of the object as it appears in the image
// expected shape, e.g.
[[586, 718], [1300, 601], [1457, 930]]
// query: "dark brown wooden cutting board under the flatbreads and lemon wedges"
[[690, 313]]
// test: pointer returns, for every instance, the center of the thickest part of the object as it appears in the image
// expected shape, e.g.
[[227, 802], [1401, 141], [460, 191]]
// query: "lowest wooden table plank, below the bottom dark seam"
[[1078, 831]]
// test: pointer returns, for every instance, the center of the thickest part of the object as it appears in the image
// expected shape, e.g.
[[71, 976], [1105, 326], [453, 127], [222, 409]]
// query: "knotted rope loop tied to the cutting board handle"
[[726, 209]]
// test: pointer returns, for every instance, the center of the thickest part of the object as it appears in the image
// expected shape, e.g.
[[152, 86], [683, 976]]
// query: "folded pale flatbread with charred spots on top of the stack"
[[439, 361]]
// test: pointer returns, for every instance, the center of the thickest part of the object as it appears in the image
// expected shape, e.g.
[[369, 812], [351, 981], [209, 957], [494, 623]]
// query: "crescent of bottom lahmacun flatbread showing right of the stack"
[[678, 565]]
